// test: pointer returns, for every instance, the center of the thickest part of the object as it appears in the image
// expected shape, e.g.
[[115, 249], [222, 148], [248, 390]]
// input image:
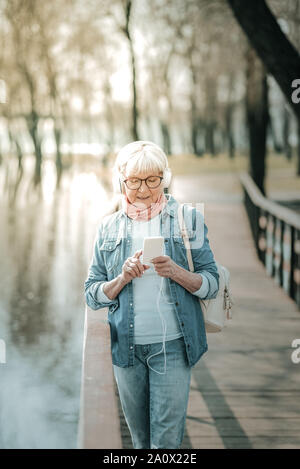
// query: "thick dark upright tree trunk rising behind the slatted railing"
[[257, 116]]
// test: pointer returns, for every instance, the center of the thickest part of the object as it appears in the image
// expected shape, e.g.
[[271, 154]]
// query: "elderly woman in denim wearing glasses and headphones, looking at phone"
[[156, 322]]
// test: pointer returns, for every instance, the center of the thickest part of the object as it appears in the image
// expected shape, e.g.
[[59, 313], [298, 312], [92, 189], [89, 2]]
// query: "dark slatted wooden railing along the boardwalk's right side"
[[276, 233]]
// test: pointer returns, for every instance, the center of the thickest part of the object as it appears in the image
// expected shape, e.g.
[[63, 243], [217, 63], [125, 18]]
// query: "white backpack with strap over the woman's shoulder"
[[215, 310]]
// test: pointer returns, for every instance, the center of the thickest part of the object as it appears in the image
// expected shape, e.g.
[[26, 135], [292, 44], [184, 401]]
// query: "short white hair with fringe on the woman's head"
[[139, 157]]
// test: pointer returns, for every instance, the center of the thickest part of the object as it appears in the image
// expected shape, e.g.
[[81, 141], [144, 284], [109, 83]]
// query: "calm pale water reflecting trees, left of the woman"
[[46, 245]]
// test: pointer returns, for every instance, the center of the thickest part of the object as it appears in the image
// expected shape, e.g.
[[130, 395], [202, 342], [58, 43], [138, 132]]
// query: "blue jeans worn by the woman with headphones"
[[155, 405]]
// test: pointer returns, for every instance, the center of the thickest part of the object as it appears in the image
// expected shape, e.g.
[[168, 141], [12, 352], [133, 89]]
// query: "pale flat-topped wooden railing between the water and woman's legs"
[[99, 422]]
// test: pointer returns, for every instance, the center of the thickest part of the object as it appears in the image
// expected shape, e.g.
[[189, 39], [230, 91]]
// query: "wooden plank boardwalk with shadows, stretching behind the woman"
[[245, 391]]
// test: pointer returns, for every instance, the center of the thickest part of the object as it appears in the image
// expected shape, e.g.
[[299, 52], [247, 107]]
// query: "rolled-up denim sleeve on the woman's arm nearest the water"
[[97, 275]]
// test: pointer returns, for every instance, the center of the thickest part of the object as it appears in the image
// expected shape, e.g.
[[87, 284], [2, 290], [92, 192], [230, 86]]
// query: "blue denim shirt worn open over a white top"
[[112, 248]]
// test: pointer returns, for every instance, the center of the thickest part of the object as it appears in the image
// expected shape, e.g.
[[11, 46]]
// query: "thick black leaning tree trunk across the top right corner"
[[275, 50]]
